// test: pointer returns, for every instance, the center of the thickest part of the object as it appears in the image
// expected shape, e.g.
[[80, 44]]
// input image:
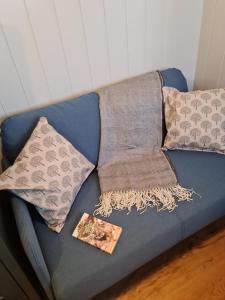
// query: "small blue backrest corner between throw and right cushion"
[[174, 78]]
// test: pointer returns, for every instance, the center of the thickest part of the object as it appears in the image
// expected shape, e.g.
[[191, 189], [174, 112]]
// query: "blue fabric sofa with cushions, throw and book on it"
[[70, 269]]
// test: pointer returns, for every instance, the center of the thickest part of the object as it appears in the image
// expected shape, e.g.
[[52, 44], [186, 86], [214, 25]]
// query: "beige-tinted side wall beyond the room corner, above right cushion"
[[210, 71]]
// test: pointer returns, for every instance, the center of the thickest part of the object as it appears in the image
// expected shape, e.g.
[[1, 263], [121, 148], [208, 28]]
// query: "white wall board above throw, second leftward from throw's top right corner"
[[136, 27]]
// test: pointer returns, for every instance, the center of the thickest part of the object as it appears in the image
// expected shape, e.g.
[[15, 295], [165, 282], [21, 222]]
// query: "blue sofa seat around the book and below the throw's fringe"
[[78, 270]]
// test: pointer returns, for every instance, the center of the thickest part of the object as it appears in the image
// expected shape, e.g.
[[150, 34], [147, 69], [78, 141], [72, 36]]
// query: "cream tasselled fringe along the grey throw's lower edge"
[[161, 197]]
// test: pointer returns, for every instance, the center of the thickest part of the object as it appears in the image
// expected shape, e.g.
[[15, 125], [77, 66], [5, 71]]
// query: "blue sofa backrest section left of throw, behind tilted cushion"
[[77, 120]]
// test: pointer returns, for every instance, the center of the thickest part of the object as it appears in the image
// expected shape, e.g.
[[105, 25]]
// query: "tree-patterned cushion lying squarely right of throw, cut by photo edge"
[[195, 120]]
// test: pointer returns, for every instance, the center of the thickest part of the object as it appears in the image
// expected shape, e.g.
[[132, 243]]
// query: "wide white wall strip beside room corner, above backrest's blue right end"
[[182, 45]]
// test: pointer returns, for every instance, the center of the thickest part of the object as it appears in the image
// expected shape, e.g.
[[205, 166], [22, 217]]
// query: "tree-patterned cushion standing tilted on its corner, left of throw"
[[48, 173]]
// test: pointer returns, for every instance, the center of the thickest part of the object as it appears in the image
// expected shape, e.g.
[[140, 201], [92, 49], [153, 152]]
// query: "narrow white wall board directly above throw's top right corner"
[[155, 34]]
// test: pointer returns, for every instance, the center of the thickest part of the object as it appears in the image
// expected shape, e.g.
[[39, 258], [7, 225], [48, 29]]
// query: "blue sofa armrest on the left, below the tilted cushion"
[[29, 239]]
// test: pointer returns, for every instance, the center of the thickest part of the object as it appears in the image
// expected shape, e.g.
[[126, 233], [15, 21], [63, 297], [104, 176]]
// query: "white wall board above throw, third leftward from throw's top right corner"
[[115, 15]]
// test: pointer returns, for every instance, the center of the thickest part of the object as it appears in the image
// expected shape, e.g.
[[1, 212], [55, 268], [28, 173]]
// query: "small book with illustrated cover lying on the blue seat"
[[98, 233]]
